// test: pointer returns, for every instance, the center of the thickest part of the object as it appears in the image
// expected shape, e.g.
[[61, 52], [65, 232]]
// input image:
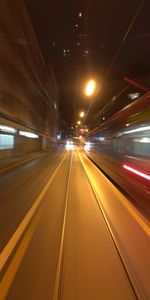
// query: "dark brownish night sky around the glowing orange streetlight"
[[84, 51]]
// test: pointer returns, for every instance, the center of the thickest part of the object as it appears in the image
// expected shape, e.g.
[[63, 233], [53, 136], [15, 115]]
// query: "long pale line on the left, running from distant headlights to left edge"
[[6, 252]]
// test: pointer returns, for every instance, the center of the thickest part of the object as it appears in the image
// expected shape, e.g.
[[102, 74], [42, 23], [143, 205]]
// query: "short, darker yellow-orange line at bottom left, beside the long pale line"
[[8, 278]]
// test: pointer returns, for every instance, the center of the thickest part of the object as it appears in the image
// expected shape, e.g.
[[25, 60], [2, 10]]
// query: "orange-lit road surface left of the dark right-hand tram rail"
[[54, 240]]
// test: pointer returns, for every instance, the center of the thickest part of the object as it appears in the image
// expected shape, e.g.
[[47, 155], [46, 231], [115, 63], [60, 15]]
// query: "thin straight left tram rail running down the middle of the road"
[[58, 271]]
